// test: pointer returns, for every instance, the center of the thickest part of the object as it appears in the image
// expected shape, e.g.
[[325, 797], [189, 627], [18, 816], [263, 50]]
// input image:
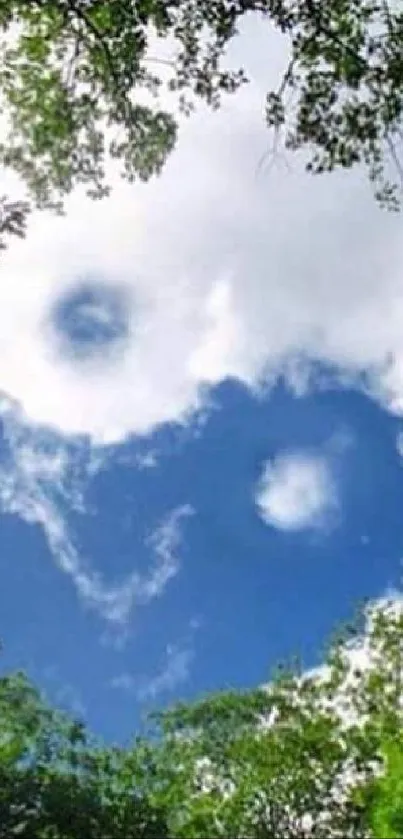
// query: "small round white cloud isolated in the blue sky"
[[296, 491]]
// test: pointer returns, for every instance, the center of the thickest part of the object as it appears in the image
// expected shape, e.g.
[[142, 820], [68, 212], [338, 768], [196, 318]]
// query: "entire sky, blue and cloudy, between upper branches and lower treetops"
[[201, 422]]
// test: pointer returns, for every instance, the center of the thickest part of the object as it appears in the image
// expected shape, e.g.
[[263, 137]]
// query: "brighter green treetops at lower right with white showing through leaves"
[[308, 756]]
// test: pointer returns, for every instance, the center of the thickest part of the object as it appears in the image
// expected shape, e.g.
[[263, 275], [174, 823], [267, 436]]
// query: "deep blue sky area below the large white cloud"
[[243, 593]]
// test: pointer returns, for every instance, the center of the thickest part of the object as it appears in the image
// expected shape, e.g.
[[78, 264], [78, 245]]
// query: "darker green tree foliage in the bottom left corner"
[[57, 782]]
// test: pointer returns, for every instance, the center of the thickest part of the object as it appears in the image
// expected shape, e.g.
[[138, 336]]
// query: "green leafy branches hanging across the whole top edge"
[[73, 75]]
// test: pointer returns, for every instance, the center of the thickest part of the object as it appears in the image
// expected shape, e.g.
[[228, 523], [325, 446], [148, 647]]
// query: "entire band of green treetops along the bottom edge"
[[310, 755]]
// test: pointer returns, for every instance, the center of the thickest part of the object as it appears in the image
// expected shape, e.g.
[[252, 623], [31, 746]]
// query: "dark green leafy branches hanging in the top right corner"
[[345, 77]]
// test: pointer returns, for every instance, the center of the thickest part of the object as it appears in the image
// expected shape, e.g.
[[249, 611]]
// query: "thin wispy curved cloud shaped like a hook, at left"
[[43, 479]]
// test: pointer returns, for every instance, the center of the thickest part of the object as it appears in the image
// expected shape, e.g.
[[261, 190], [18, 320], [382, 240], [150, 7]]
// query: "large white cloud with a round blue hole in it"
[[224, 268]]
